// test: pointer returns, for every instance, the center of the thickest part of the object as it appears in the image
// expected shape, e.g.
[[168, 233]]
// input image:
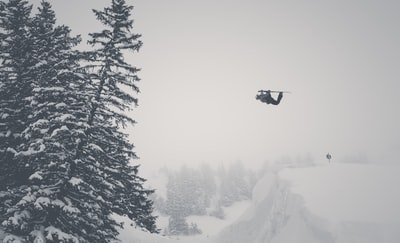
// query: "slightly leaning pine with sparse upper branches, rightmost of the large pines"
[[107, 148]]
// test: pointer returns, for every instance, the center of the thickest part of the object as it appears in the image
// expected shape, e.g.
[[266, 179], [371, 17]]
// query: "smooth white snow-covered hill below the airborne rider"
[[329, 203]]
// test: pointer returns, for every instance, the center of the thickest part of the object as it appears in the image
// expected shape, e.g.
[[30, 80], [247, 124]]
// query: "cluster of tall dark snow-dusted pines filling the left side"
[[65, 164]]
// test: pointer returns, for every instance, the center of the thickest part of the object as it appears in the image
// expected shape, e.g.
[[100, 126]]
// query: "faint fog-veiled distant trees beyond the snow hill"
[[202, 191]]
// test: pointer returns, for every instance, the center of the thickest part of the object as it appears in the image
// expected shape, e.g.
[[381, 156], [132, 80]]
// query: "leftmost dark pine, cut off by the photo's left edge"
[[15, 85]]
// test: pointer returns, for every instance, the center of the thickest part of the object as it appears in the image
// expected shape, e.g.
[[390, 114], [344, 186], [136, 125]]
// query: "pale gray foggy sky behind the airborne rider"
[[204, 61]]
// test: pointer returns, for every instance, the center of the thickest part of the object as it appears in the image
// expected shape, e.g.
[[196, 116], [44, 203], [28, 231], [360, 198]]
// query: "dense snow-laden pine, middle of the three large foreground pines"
[[43, 206]]
